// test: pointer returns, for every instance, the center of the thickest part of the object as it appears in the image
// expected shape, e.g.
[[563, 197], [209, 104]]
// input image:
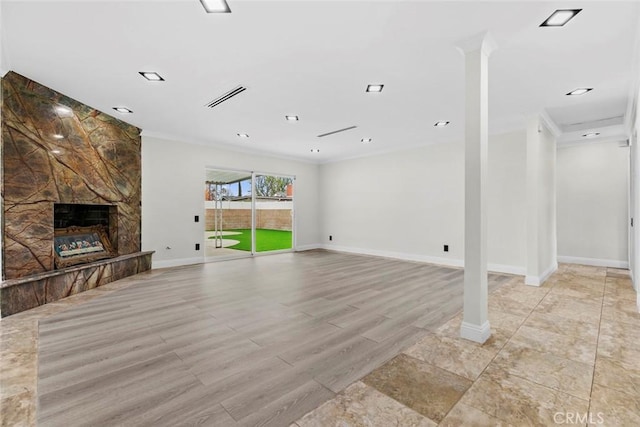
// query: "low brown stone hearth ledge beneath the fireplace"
[[25, 293]]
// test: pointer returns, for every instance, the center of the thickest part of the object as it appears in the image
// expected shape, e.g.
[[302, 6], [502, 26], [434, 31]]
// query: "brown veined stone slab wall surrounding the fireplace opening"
[[96, 161]]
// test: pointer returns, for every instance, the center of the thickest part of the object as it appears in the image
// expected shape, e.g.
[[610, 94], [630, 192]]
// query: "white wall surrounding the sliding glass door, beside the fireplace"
[[173, 176]]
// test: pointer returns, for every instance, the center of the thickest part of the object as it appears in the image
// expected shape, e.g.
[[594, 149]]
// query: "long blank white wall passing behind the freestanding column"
[[408, 204]]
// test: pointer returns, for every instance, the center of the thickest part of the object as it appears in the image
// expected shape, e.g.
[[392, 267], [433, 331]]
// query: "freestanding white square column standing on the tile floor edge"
[[476, 50]]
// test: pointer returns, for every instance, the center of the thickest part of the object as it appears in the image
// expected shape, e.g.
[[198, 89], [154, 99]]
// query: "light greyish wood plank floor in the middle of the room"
[[256, 341]]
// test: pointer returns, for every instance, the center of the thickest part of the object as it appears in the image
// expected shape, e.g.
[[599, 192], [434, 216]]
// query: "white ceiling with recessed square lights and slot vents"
[[314, 59]]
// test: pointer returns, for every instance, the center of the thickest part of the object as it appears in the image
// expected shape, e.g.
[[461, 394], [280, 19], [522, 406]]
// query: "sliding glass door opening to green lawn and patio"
[[247, 213]]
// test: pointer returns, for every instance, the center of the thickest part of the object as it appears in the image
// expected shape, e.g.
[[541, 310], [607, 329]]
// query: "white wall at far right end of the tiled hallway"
[[593, 204]]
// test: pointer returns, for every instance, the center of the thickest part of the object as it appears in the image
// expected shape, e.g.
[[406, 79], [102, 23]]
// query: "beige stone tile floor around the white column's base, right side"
[[565, 353]]
